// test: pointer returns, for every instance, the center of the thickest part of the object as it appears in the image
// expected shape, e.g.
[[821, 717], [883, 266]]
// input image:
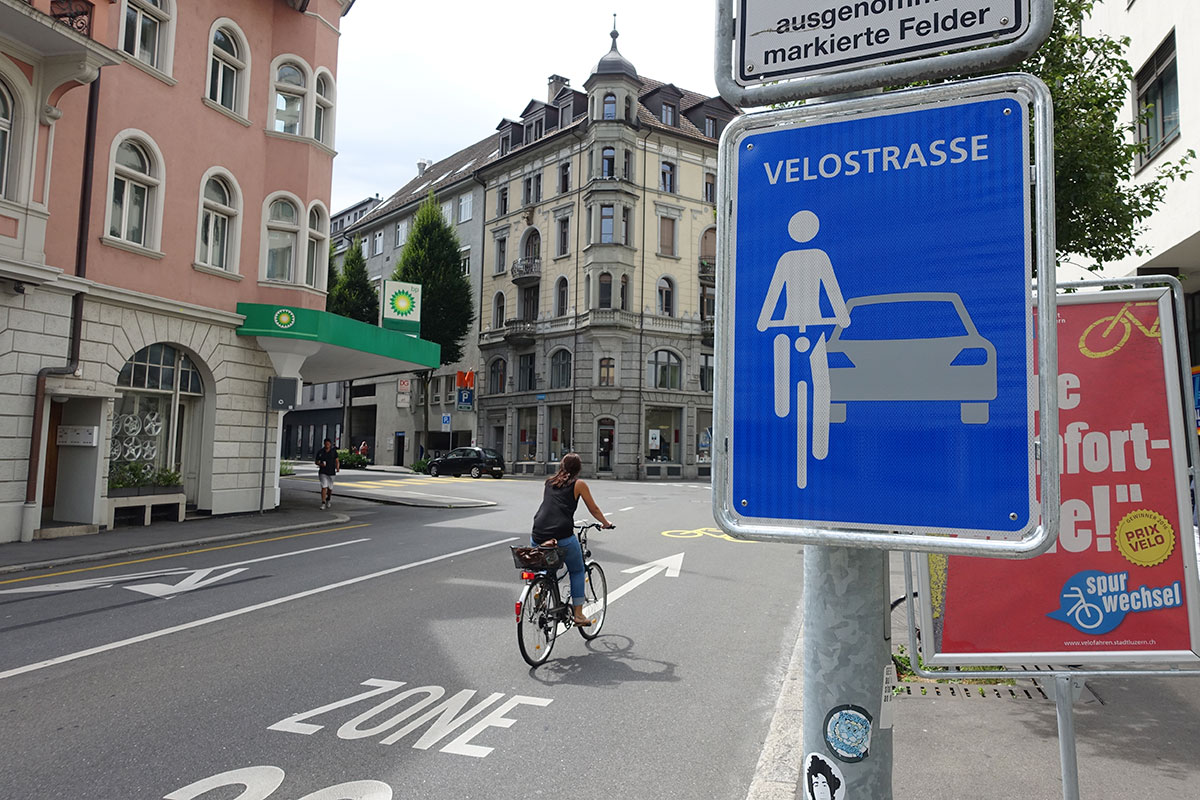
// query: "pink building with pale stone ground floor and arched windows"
[[166, 175]]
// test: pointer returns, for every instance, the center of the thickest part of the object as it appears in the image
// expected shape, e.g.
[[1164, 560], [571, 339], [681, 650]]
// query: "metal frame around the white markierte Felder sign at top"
[[841, 80]]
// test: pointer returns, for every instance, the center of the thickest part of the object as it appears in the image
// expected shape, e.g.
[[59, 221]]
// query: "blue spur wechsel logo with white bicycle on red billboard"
[[1096, 603]]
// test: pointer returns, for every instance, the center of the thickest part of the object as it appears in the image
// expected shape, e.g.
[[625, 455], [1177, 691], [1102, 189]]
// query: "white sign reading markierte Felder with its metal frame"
[[811, 49]]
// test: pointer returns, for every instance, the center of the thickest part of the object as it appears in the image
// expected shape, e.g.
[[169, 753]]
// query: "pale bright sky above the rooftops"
[[423, 80]]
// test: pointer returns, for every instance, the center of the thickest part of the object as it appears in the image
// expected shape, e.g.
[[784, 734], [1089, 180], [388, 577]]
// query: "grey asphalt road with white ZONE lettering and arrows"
[[380, 658]]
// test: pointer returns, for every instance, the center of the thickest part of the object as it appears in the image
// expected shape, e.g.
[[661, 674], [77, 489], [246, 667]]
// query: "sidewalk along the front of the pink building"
[[299, 510]]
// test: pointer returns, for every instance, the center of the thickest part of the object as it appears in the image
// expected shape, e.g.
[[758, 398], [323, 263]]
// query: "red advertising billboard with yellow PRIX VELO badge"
[[1120, 584]]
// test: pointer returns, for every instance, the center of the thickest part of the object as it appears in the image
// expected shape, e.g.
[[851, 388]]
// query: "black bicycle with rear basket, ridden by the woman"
[[542, 612]]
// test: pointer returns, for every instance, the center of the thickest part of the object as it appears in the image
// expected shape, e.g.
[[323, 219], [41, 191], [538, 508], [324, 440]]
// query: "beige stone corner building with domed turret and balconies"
[[598, 279]]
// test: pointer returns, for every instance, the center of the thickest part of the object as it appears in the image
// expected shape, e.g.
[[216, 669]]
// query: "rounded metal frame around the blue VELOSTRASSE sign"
[[1036, 98]]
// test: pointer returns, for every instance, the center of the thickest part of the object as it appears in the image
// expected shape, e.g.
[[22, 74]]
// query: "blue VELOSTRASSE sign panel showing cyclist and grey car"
[[879, 321]]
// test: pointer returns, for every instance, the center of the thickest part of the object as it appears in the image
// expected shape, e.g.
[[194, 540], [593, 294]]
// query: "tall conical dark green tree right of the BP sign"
[[431, 258]]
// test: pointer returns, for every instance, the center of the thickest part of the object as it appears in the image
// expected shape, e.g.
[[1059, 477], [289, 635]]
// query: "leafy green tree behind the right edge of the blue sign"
[[1100, 210]]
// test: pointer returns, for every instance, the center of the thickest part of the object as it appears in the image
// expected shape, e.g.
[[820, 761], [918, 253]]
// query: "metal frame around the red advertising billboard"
[[1100, 663]]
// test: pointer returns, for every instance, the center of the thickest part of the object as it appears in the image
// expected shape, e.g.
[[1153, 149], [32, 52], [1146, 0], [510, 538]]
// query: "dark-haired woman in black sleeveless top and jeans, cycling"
[[555, 524]]
